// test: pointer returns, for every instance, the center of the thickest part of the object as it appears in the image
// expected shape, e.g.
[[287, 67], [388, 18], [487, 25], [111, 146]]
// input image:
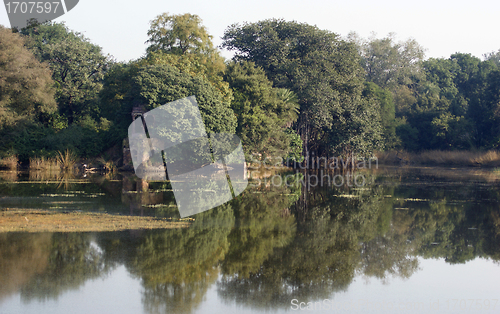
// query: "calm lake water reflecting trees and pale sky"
[[401, 240]]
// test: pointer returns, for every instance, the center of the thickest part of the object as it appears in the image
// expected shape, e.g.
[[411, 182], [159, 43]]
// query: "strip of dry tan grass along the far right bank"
[[443, 158]]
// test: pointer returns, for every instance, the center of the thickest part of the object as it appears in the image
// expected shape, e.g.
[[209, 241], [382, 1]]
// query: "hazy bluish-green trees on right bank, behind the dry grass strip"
[[436, 103]]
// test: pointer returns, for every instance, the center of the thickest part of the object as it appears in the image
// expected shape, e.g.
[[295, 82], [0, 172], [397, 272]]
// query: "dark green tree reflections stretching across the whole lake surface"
[[271, 244]]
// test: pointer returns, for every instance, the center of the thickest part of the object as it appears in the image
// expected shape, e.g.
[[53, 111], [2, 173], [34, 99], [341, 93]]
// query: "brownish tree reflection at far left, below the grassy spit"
[[43, 266]]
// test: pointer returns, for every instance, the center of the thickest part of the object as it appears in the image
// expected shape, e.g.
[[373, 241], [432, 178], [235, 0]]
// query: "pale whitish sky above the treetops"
[[442, 27]]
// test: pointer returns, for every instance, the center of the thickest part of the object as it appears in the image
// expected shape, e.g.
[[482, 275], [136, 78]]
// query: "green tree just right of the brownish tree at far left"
[[78, 67]]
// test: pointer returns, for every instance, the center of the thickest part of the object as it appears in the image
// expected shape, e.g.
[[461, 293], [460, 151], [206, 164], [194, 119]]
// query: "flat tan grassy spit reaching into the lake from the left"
[[37, 220]]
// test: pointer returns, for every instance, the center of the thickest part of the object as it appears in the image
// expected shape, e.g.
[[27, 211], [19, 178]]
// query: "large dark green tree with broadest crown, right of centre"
[[325, 73]]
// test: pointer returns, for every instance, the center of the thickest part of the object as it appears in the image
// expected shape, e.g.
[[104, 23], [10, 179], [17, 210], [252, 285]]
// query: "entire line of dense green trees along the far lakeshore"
[[291, 90]]
